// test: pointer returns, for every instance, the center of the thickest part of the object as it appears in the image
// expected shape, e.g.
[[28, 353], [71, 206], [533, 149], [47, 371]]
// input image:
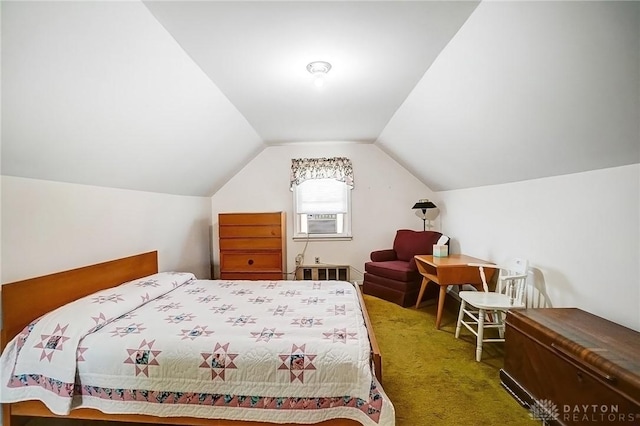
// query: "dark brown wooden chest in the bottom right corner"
[[571, 367]]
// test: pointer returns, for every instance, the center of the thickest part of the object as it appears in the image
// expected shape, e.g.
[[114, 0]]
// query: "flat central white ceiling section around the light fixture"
[[257, 53]]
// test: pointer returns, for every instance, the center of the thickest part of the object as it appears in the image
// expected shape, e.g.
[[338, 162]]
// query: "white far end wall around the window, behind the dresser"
[[382, 198]]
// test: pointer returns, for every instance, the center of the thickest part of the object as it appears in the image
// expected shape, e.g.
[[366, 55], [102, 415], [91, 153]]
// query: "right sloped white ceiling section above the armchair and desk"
[[525, 90]]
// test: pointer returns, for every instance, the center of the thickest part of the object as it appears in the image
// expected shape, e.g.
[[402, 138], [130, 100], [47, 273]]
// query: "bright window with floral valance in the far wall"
[[322, 198]]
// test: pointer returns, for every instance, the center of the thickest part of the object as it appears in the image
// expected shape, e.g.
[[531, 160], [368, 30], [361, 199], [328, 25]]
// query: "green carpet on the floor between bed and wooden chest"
[[432, 378]]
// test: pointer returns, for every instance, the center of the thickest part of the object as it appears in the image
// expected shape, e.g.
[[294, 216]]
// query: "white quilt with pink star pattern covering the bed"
[[172, 345]]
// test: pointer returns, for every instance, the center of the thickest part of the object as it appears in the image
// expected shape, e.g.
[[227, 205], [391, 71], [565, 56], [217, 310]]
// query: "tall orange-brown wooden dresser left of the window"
[[252, 246]]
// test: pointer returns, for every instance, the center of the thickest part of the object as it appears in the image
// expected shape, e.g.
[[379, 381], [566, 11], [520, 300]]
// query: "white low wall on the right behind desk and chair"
[[580, 232]]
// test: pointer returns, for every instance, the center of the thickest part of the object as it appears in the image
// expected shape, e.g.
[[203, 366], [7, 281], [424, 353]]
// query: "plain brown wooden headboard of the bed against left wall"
[[24, 301]]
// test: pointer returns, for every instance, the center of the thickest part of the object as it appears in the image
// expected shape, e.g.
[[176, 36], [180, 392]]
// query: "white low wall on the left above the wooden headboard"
[[50, 226]]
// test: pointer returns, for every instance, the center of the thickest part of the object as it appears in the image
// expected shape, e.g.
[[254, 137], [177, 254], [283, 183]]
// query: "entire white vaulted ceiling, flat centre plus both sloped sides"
[[177, 96]]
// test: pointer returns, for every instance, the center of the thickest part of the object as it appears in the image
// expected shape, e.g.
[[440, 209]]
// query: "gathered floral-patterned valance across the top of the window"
[[338, 168]]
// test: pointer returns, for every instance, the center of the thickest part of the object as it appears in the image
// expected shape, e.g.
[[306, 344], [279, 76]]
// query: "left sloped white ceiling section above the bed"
[[99, 93]]
